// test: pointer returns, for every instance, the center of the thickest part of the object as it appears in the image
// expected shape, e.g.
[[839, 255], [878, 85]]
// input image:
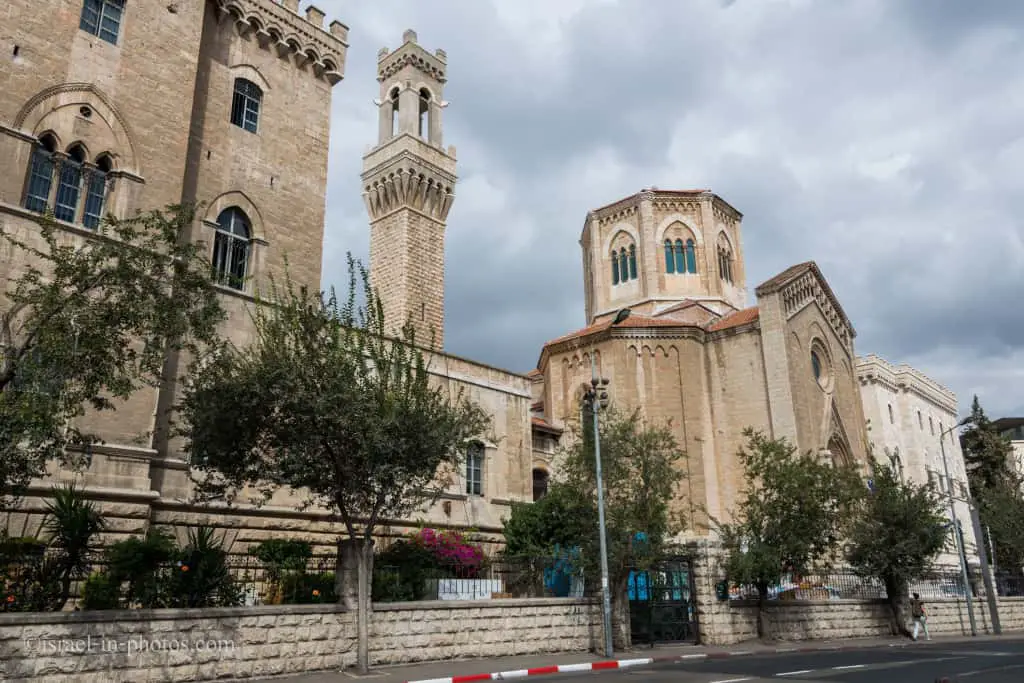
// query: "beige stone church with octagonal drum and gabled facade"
[[695, 354]]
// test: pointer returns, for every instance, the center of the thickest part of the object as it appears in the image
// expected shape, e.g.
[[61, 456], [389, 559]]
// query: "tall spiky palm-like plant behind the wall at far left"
[[72, 524]]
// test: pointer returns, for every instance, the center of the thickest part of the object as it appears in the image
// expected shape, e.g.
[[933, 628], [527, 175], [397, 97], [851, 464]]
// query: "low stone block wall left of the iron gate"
[[241, 643]]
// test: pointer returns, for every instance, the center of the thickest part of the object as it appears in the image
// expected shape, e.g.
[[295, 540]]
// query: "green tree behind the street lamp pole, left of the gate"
[[642, 474]]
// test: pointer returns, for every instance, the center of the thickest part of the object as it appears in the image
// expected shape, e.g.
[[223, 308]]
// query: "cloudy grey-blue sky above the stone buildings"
[[882, 139]]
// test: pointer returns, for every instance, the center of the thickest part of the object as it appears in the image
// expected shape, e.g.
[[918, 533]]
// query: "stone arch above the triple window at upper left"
[[55, 110]]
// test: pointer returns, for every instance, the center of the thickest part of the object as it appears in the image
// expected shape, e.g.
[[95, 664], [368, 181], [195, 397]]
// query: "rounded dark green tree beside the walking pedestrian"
[[899, 531]]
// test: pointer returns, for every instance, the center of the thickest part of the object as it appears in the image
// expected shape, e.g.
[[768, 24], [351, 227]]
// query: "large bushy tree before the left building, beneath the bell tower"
[[323, 402]]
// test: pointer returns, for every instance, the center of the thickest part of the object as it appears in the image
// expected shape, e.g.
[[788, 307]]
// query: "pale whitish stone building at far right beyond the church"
[[912, 423]]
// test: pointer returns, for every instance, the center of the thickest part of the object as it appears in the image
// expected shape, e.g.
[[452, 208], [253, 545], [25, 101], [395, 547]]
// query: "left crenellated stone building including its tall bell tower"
[[110, 107]]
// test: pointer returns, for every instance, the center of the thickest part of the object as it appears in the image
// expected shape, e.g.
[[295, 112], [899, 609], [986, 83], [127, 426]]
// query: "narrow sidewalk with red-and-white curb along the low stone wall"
[[481, 669]]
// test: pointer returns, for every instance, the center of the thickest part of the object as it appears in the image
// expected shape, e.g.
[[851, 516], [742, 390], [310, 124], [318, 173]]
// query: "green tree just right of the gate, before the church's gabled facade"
[[790, 518]]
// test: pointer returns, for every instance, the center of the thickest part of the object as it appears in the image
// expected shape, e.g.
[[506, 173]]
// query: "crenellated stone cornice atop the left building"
[[278, 28]]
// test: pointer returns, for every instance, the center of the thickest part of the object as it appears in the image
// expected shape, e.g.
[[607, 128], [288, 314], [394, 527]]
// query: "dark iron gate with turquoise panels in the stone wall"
[[663, 604]]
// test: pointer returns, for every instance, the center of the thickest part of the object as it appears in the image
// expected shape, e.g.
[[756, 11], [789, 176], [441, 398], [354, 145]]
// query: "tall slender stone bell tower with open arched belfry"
[[409, 188]]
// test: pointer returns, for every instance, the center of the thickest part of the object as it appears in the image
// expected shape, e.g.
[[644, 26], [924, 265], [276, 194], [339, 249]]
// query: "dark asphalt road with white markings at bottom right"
[[999, 662]]
